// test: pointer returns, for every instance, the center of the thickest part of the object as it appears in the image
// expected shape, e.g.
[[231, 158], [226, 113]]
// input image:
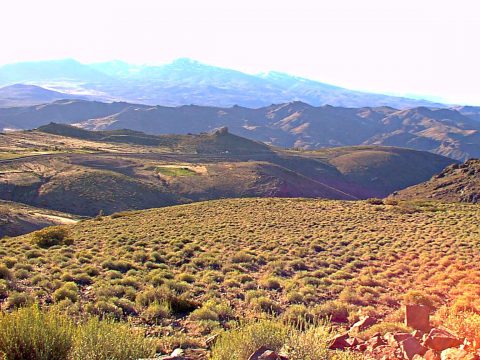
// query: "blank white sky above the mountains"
[[417, 48]]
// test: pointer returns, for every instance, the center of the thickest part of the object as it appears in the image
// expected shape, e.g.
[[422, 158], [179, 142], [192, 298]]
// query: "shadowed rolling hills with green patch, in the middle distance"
[[77, 171]]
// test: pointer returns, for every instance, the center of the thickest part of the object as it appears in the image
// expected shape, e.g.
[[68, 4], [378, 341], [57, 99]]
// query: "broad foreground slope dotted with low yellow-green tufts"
[[186, 272]]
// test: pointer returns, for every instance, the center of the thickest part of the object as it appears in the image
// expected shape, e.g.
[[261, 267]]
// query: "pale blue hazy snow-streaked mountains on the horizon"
[[182, 82]]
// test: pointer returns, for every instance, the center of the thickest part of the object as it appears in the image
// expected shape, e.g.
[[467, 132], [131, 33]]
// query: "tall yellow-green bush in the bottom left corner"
[[30, 334]]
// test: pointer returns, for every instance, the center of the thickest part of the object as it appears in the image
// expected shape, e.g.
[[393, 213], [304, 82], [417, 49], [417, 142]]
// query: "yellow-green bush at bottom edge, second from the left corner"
[[105, 340]]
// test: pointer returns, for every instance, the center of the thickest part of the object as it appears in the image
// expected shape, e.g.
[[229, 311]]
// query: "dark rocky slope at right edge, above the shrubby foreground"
[[456, 183]]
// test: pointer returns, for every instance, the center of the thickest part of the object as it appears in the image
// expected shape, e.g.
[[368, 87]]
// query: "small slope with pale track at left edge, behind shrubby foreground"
[[17, 219]]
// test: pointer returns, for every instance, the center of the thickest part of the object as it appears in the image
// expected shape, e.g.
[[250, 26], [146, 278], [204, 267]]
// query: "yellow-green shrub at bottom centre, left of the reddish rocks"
[[239, 343]]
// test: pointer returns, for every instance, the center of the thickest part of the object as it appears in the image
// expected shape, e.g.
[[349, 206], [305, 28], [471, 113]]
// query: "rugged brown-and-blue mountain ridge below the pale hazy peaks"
[[450, 132]]
